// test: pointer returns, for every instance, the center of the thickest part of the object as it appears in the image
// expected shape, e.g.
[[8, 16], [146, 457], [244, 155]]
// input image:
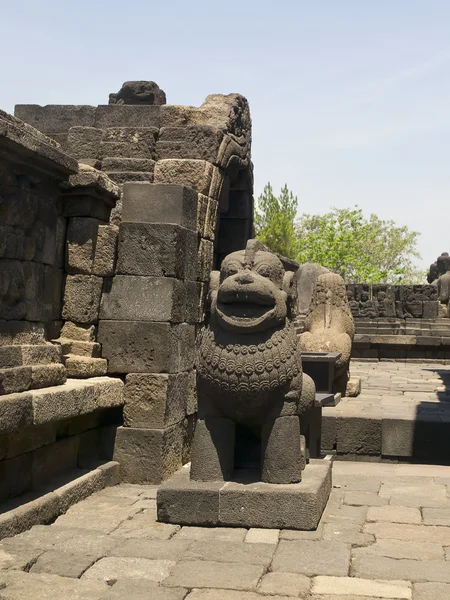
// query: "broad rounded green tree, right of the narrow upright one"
[[359, 249]]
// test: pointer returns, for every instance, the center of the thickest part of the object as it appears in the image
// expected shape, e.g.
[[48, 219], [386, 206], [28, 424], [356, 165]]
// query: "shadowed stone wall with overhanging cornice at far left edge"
[[32, 231]]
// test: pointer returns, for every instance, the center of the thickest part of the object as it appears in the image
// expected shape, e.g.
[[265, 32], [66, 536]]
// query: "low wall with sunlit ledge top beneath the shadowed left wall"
[[51, 432]]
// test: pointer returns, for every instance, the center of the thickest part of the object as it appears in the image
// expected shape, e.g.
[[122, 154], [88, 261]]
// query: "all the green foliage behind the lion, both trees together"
[[360, 249]]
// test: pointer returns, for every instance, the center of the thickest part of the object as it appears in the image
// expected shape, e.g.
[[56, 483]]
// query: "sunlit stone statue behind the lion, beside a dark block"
[[329, 326]]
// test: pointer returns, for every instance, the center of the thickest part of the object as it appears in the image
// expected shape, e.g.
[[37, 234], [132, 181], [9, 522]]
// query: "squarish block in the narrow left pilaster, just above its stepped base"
[[82, 298]]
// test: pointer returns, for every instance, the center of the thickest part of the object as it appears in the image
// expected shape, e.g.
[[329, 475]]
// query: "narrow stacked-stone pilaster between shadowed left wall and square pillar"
[[90, 260]]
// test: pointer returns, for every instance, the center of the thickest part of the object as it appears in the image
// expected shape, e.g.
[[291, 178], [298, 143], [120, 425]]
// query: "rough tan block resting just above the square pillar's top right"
[[199, 175]]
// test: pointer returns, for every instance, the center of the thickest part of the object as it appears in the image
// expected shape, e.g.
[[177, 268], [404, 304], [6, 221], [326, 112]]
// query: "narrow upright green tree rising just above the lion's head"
[[275, 221]]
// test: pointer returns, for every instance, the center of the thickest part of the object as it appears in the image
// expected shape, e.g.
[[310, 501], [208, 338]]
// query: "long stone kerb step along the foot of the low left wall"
[[44, 505]]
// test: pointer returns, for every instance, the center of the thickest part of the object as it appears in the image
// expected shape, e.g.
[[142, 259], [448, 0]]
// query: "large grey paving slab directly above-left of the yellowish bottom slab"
[[322, 557]]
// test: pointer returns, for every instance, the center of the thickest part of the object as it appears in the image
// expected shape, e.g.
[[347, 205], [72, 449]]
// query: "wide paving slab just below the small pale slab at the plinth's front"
[[233, 552]]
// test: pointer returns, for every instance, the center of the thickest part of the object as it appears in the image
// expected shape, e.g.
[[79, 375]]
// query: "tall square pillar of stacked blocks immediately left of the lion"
[[147, 327]]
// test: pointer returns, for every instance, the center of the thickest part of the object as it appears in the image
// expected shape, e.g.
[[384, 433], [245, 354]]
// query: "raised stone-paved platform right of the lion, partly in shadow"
[[403, 411]]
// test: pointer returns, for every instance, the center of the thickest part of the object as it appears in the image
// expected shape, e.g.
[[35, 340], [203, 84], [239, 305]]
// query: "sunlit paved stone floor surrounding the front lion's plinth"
[[385, 534]]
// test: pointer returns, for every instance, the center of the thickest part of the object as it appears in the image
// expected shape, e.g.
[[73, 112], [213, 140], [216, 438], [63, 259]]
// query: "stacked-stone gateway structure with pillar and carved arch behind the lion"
[[141, 276]]
